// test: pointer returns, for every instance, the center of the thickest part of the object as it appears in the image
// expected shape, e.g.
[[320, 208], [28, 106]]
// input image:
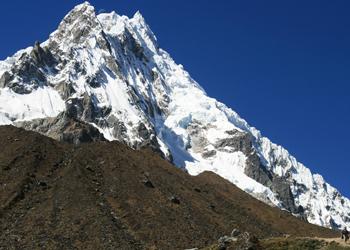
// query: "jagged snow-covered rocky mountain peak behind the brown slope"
[[104, 77]]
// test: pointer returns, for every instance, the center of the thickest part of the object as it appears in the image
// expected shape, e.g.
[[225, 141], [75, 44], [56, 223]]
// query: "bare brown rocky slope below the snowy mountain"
[[104, 195]]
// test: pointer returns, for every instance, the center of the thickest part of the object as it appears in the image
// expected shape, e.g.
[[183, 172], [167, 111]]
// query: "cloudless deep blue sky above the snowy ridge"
[[284, 66]]
